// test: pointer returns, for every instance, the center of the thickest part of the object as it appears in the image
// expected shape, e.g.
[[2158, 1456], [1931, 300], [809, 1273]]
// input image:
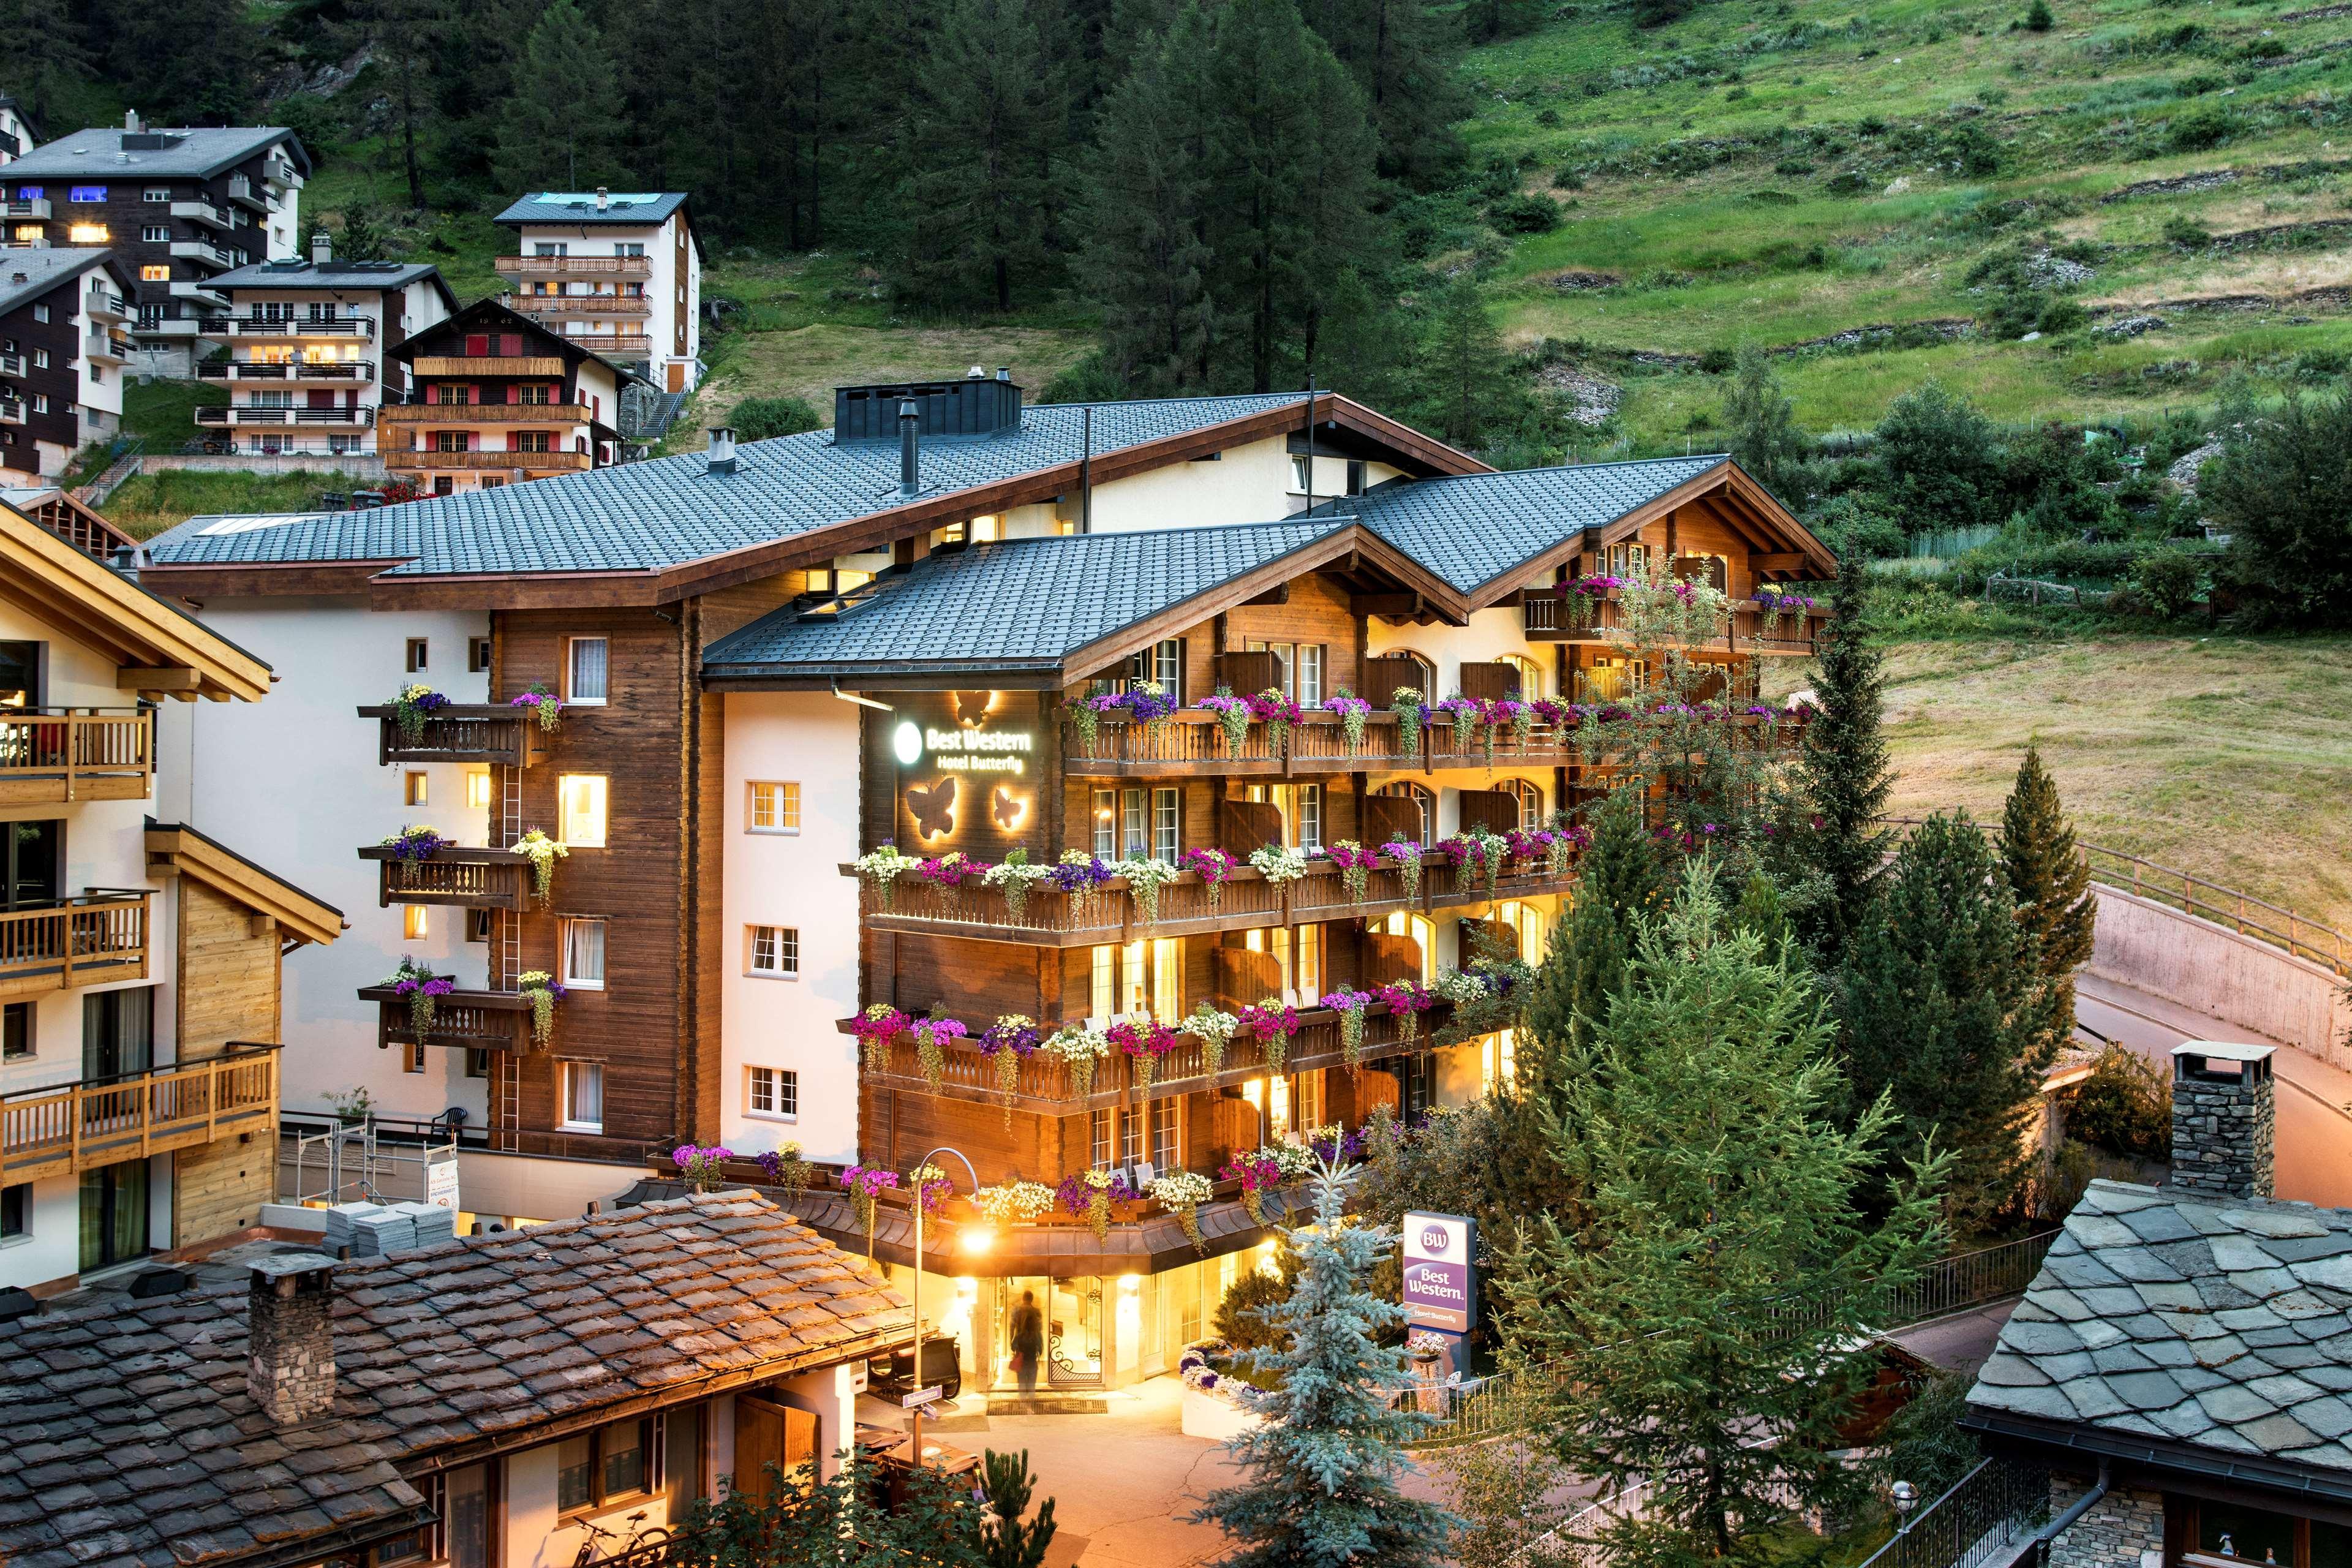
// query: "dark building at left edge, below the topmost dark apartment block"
[[62, 359]]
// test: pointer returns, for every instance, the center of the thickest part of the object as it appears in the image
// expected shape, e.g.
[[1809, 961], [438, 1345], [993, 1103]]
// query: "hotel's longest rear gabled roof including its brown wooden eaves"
[[664, 530]]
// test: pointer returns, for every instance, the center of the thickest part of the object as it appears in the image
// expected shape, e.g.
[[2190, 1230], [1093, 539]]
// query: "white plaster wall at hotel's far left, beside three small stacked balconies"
[[295, 784]]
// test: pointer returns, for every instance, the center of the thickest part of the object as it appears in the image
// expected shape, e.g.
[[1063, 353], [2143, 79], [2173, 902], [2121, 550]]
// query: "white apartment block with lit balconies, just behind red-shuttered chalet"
[[312, 349]]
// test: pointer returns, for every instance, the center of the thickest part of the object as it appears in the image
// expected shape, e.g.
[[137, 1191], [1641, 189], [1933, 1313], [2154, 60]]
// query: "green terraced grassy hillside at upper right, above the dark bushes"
[[1791, 173]]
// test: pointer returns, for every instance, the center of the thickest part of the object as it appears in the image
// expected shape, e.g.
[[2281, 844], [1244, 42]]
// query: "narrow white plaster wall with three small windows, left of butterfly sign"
[[791, 880]]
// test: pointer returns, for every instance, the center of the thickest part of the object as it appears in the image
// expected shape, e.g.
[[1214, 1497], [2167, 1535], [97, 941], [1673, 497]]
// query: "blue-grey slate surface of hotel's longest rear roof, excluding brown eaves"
[[671, 511]]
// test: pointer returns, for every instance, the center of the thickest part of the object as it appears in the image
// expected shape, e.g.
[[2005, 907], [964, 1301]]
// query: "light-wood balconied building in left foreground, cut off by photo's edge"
[[140, 958]]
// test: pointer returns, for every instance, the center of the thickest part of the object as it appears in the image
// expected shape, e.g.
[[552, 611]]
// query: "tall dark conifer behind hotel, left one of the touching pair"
[[1144, 215]]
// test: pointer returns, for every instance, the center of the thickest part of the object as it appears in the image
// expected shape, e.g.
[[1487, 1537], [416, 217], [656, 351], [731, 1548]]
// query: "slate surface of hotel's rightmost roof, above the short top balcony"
[[1476, 528]]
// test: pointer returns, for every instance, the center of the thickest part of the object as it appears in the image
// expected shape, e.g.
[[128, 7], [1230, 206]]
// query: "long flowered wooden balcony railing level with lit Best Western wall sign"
[[1194, 742]]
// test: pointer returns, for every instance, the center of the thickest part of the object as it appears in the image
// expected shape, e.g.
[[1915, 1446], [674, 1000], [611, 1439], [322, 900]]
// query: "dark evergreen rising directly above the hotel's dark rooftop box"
[[984, 135]]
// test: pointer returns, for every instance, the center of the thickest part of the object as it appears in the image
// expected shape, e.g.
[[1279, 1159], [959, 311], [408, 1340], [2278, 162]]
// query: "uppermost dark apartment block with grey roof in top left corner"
[[178, 208]]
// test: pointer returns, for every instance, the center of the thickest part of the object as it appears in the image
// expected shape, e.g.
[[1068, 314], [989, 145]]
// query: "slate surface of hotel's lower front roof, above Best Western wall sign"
[[1015, 601]]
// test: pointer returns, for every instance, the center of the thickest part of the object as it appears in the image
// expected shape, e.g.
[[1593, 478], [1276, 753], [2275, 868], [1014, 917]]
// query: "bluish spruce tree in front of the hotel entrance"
[[1321, 1475]]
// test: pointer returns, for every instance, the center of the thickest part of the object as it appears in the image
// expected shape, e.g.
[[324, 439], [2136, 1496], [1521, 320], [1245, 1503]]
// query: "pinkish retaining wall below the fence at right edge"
[[2214, 970]]
